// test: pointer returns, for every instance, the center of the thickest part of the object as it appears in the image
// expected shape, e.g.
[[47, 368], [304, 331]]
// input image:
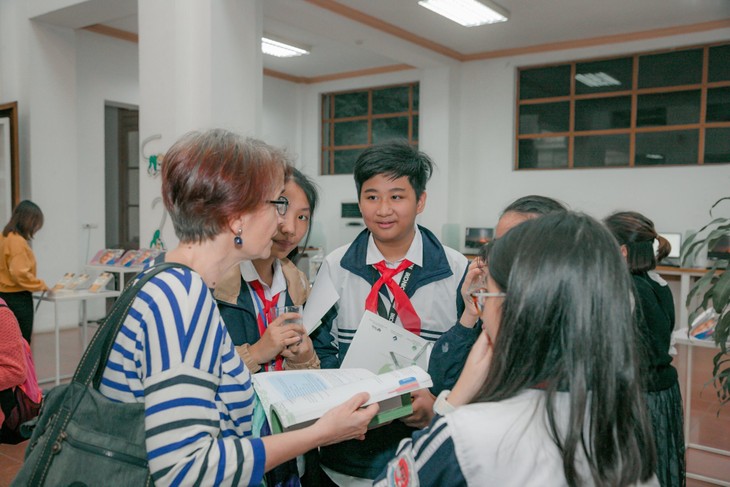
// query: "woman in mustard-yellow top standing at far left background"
[[18, 266]]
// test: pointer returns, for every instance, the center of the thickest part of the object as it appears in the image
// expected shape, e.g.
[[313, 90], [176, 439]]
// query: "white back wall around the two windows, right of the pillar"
[[467, 126]]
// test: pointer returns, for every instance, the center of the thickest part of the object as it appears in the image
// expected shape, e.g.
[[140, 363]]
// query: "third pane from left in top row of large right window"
[[670, 69]]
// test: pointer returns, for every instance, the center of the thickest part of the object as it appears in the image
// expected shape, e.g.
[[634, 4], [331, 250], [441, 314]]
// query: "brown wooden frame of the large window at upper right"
[[634, 93]]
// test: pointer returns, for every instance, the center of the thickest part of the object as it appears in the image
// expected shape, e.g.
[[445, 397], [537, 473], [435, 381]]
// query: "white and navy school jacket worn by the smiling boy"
[[433, 289]]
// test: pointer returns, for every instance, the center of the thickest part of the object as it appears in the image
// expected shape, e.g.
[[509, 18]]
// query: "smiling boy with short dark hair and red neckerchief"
[[394, 268]]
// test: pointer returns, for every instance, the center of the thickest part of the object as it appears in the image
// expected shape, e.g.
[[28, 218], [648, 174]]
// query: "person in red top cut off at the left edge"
[[12, 360]]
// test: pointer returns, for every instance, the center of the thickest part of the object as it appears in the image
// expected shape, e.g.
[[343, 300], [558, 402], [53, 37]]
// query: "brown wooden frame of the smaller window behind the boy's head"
[[329, 120]]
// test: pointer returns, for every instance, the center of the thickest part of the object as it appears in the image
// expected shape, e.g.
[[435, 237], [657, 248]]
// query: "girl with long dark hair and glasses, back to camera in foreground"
[[549, 395]]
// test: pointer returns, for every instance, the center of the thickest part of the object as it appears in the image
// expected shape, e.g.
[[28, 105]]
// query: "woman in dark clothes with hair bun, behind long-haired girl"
[[655, 320]]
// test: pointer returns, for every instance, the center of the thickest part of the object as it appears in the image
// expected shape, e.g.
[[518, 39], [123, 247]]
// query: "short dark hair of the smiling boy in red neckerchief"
[[395, 159]]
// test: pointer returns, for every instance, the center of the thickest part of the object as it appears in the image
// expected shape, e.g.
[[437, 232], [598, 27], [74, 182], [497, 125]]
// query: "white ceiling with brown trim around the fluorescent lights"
[[341, 44]]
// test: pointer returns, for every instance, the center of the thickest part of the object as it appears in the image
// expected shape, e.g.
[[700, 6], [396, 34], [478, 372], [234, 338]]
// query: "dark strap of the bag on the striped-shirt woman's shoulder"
[[92, 364]]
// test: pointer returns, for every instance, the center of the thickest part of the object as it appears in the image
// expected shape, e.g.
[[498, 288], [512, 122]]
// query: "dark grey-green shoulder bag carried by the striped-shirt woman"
[[81, 437]]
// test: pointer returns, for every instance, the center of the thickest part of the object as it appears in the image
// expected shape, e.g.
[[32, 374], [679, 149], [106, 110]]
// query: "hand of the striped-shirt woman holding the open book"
[[347, 421]]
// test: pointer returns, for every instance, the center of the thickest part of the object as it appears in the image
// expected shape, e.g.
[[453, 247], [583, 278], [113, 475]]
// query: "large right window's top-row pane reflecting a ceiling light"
[[603, 76]]
